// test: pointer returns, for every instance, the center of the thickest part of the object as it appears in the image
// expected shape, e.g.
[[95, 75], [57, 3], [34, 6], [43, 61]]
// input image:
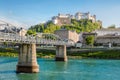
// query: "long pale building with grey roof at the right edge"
[[108, 37]]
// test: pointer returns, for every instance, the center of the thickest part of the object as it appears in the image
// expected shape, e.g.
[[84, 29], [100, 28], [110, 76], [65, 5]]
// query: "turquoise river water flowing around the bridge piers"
[[82, 69]]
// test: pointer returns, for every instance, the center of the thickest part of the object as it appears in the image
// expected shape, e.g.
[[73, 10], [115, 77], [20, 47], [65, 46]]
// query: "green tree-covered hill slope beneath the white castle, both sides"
[[80, 26]]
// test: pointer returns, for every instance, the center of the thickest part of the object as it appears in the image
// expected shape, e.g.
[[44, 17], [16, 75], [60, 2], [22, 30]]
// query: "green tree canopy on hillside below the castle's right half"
[[83, 25]]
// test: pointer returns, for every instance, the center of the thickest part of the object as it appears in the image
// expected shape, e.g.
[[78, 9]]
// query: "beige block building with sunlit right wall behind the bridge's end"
[[67, 35]]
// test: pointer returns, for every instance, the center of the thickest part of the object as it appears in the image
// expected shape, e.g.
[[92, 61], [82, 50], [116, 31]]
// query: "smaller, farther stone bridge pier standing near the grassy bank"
[[61, 53]]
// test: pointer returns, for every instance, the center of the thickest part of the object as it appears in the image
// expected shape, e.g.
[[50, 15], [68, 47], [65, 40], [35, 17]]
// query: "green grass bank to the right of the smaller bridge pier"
[[108, 54]]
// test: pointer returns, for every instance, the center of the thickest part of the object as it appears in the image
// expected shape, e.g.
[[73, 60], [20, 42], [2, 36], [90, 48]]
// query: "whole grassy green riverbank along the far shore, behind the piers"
[[43, 53]]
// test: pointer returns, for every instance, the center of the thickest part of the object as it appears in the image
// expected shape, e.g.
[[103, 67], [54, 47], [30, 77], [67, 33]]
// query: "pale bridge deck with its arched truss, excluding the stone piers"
[[44, 38]]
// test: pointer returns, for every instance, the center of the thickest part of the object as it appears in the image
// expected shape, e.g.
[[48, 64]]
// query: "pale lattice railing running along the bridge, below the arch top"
[[10, 37]]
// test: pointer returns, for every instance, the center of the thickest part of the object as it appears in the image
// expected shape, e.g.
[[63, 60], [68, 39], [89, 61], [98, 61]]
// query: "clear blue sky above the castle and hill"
[[25, 13]]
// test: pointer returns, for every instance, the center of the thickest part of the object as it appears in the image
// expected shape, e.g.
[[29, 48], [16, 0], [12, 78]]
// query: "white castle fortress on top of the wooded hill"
[[63, 19]]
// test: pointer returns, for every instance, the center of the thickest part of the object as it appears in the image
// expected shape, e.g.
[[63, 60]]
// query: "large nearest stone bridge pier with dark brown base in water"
[[27, 62]]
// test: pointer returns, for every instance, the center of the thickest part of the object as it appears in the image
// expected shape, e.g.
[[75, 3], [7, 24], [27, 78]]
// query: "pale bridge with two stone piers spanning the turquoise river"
[[27, 62]]
